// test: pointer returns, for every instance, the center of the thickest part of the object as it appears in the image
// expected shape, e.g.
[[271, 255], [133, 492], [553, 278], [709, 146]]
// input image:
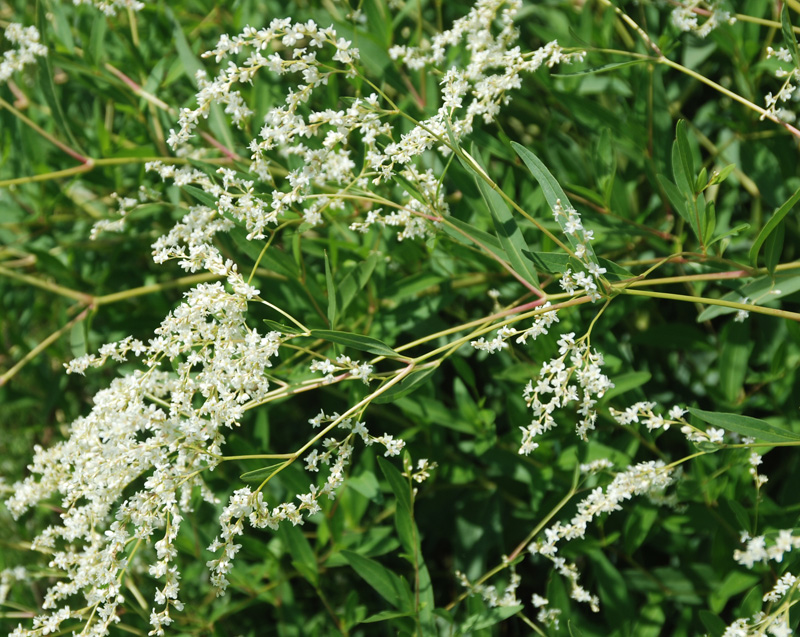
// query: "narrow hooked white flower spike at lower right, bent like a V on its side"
[[641, 479]]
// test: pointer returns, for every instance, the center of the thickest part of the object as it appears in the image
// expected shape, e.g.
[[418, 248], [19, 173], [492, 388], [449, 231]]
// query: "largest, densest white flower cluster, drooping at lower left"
[[163, 426]]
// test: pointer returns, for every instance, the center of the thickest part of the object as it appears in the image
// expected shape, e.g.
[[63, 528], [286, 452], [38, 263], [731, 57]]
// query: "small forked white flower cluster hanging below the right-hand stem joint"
[[557, 379]]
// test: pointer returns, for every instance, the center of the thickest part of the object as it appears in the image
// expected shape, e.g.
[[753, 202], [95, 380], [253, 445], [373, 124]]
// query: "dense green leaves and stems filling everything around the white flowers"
[[658, 143]]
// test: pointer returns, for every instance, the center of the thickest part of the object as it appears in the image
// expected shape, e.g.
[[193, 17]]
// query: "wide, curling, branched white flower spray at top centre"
[[323, 140]]
